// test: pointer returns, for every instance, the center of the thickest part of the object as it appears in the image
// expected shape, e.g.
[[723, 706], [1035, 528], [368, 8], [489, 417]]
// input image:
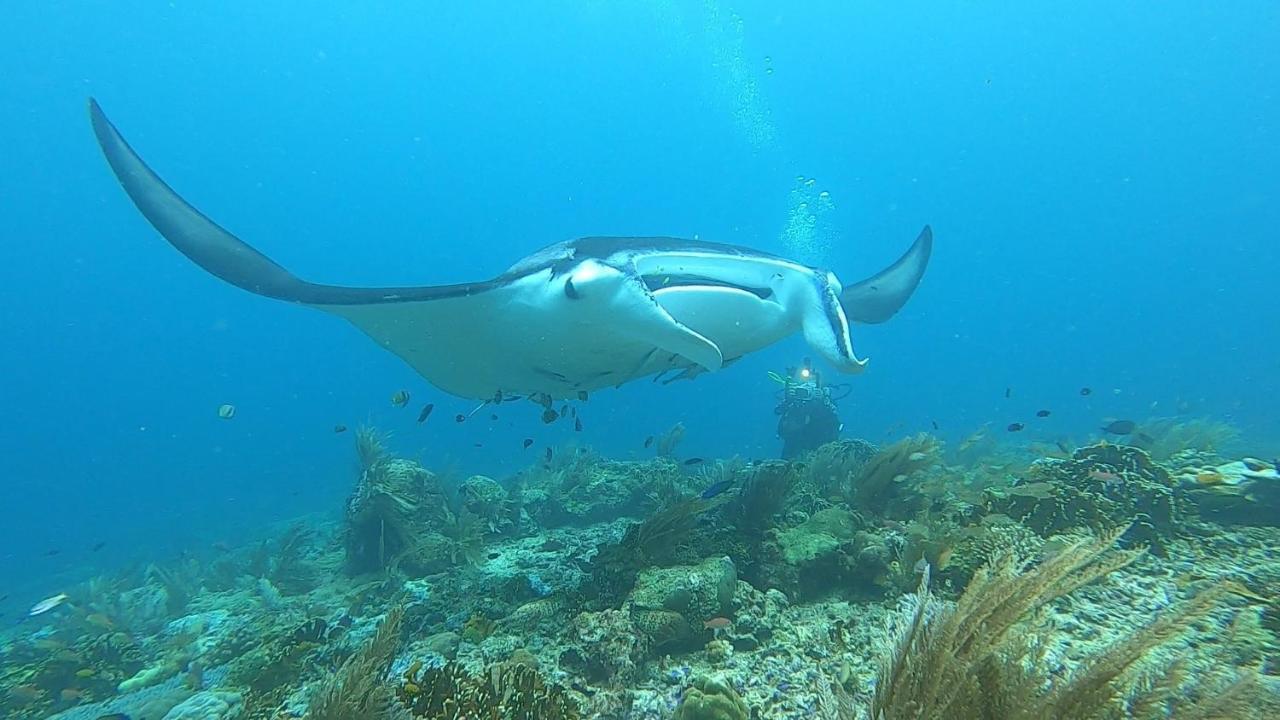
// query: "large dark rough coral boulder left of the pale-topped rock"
[[1100, 486]]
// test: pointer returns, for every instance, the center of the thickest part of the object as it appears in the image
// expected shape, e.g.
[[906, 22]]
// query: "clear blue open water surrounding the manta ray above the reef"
[[1101, 180]]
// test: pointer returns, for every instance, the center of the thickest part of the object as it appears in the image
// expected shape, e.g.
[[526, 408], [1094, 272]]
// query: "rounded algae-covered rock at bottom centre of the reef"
[[698, 593]]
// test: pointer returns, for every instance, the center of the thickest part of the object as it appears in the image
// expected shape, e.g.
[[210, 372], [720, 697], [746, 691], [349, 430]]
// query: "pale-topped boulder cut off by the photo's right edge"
[[1244, 493]]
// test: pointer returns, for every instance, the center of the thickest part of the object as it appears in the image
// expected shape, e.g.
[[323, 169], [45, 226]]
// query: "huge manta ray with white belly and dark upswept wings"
[[574, 317]]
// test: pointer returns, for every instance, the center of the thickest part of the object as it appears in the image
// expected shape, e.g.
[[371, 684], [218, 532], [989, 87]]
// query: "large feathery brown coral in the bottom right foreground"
[[971, 660]]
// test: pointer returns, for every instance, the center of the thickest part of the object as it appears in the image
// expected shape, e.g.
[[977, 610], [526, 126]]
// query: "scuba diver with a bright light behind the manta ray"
[[807, 411]]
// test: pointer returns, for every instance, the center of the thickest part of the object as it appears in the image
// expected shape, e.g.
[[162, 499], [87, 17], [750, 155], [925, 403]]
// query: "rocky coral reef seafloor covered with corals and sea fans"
[[857, 582]]
